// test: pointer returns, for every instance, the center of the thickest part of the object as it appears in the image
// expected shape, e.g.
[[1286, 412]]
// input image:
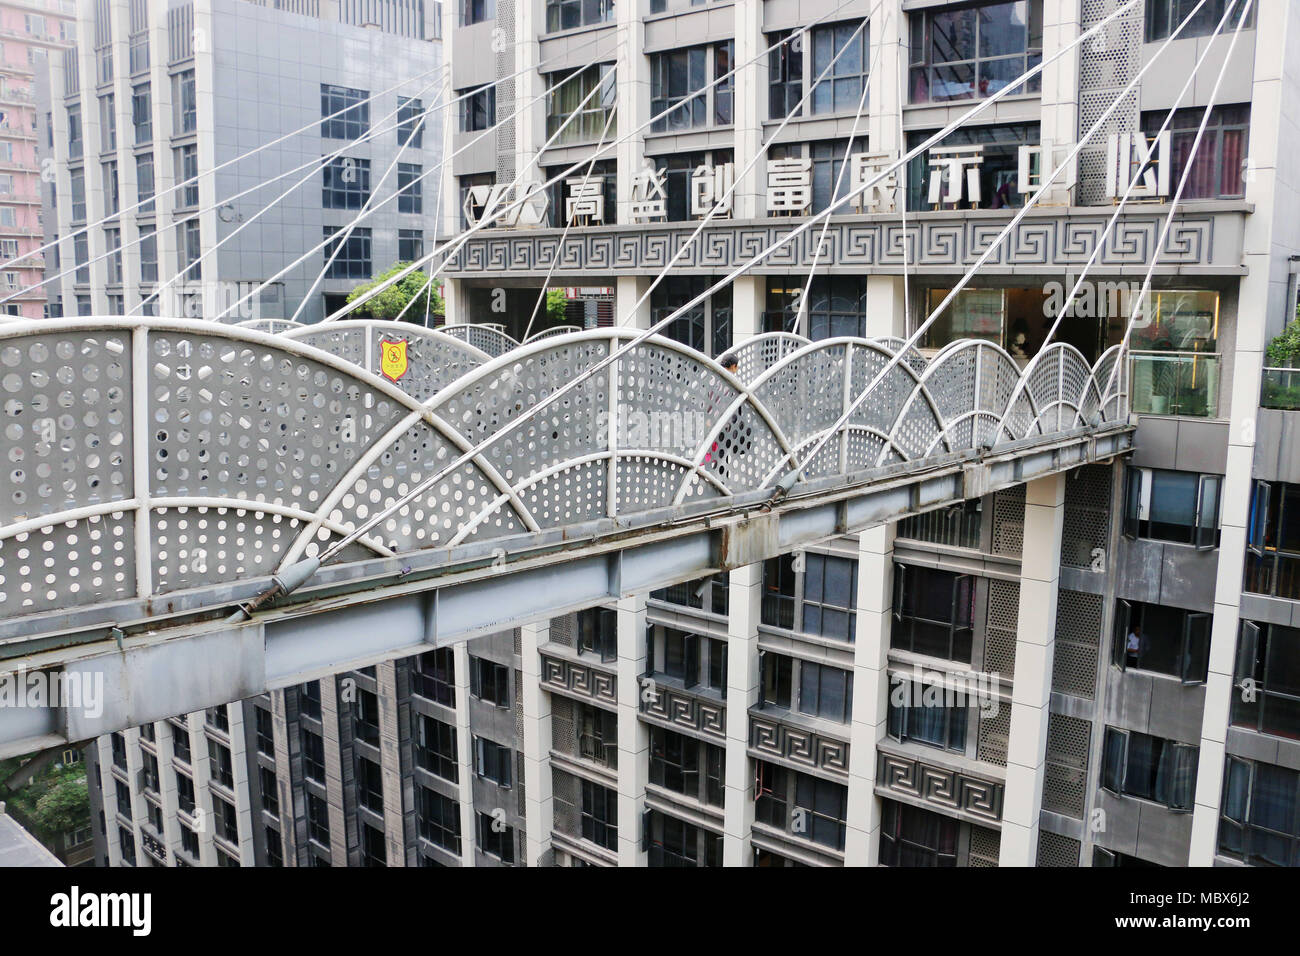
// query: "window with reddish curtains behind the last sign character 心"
[[1219, 166]]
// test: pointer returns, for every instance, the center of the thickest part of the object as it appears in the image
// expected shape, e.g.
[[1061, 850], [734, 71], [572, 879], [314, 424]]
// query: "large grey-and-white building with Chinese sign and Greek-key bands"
[[1086, 671]]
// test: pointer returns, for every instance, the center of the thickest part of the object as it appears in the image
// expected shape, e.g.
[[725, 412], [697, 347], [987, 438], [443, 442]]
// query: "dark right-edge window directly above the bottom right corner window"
[[1267, 680]]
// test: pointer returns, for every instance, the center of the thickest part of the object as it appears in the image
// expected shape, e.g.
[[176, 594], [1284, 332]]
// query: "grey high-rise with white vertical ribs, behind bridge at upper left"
[[157, 94]]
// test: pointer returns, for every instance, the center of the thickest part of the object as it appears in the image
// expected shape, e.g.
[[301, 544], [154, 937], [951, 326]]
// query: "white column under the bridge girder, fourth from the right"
[[634, 736]]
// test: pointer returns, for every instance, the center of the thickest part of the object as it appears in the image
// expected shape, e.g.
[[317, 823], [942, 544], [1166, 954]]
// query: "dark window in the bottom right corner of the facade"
[[1260, 821]]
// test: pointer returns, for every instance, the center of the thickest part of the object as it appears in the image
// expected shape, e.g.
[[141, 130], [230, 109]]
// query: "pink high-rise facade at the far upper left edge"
[[31, 34]]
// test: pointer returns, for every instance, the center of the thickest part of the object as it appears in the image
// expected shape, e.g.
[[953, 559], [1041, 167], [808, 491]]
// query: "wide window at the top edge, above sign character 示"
[[974, 51]]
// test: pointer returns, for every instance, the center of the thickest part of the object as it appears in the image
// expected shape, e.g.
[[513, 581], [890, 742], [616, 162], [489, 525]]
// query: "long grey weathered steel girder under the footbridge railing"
[[179, 655]]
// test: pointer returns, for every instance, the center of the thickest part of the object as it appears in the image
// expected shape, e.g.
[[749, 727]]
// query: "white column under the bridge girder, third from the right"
[[743, 690]]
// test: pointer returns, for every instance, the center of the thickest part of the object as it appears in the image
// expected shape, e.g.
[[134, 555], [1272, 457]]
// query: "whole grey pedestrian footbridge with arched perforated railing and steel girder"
[[161, 474]]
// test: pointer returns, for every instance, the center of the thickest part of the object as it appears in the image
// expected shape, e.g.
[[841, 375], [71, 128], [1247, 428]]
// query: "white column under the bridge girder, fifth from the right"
[[540, 810]]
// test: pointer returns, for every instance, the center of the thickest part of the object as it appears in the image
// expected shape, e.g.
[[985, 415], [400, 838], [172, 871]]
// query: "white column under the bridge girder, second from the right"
[[870, 693]]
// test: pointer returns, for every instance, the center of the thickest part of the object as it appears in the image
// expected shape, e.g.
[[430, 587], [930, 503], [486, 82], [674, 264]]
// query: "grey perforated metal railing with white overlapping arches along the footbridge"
[[149, 456]]
